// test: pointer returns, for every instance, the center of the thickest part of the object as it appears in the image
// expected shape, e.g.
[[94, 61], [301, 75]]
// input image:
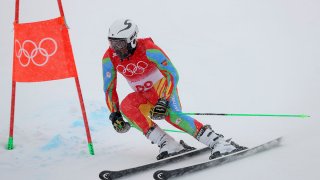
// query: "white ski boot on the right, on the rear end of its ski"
[[219, 146]]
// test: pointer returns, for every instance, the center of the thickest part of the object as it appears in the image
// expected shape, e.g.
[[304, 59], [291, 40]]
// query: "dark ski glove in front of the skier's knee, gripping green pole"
[[159, 111]]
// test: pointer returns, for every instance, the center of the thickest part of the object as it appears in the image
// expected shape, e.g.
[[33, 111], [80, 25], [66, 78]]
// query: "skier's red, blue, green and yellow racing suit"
[[151, 75]]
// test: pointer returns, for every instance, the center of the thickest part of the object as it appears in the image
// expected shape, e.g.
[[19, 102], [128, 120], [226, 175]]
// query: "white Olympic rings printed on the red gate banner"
[[37, 49]]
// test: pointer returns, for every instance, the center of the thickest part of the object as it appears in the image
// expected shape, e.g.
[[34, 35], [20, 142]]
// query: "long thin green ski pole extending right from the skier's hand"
[[225, 114]]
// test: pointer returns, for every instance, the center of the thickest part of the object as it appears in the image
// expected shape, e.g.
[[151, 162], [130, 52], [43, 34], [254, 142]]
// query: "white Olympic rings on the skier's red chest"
[[132, 69]]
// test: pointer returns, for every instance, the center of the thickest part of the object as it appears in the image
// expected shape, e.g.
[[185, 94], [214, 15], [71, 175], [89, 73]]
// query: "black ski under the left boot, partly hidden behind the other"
[[109, 175]]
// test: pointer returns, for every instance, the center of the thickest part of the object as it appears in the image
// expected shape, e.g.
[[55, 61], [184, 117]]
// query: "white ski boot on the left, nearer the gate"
[[168, 146]]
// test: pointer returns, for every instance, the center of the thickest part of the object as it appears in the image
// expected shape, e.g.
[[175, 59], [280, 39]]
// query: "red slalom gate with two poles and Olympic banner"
[[42, 52]]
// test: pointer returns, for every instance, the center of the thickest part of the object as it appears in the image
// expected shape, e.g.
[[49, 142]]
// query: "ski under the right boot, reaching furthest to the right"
[[166, 174]]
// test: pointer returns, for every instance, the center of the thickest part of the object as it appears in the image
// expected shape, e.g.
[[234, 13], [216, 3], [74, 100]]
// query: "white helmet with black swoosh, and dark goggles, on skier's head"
[[123, 37]]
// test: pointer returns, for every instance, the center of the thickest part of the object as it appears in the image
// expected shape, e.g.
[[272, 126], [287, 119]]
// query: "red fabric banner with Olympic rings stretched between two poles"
[[42, 51]]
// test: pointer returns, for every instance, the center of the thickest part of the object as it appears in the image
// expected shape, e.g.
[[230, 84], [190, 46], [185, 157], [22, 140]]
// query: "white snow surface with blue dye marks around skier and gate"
[[234, 56]]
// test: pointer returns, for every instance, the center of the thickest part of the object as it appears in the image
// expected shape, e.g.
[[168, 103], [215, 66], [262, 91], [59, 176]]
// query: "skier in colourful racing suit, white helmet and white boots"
[[154, 80]]
